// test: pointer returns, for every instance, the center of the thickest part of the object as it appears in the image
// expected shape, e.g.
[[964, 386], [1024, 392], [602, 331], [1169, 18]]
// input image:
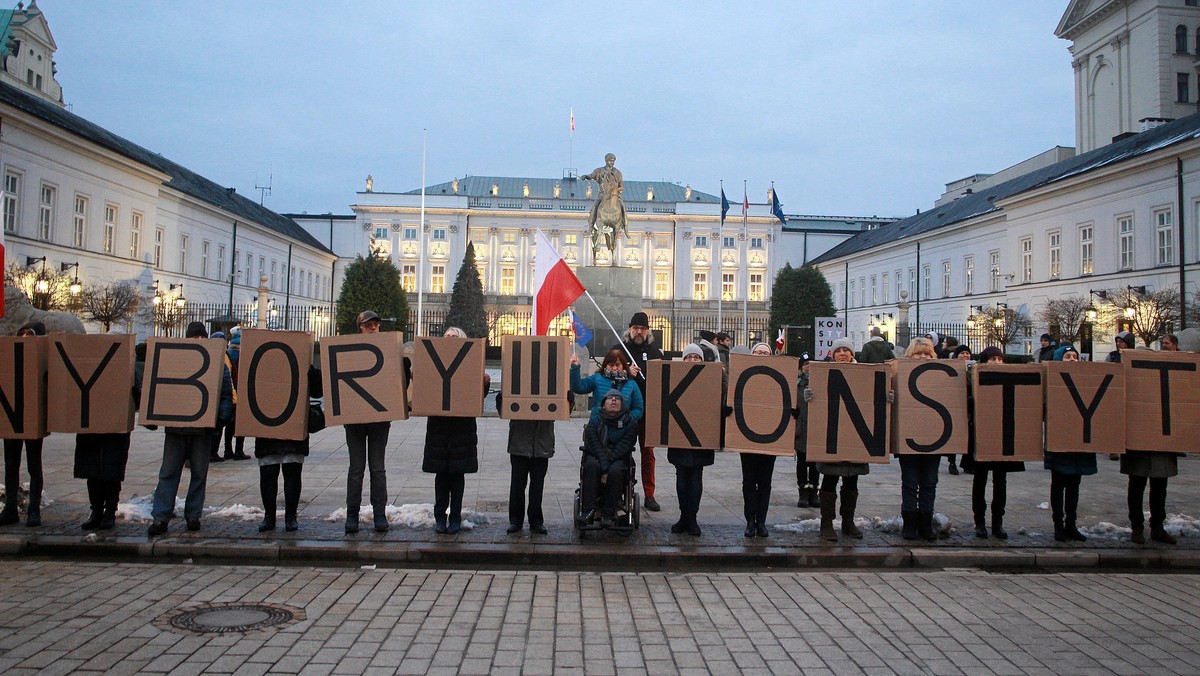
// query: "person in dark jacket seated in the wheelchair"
[[608, 446]]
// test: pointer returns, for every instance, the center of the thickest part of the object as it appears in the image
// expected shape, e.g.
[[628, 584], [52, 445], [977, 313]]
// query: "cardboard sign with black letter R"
[[364, 379]]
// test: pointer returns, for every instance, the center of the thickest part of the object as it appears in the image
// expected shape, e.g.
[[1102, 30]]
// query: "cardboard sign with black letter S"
[[931, 408]]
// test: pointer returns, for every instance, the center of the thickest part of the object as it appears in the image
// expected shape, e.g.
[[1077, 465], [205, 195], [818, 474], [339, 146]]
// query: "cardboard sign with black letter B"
[[182, 382]]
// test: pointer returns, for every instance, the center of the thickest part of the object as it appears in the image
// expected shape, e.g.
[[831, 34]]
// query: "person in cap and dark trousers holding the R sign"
[[367, 444]]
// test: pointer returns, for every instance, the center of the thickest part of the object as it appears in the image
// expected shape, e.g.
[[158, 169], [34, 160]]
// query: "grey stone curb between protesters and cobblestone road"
[[590, 557]]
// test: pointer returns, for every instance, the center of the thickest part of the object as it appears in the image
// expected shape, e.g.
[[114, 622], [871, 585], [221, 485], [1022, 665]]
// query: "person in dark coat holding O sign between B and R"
[[287, 457]]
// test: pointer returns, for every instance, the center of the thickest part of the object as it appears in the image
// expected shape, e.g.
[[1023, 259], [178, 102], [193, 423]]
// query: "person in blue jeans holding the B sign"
[[194, 446]]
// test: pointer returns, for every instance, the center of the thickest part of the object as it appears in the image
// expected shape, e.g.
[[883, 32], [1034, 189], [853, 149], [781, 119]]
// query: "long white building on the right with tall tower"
[[1120, 214]]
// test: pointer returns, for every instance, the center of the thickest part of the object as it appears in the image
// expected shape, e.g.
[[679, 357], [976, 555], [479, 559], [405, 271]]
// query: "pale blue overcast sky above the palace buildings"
[[851, 109]]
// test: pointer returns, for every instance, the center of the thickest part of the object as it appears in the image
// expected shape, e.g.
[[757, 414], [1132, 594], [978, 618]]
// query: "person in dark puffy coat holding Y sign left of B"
[[101, 460]]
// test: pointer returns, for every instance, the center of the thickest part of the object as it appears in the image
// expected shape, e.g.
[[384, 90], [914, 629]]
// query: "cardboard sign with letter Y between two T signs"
[[1085, 408]]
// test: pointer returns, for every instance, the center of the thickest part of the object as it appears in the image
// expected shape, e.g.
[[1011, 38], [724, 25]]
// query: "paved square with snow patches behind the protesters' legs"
[[232, 483]]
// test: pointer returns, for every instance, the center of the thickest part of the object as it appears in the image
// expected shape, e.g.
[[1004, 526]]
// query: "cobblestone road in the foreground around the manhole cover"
[[77, 617]]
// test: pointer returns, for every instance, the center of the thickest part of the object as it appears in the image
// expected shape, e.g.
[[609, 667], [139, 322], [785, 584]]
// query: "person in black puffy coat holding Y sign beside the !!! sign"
[[452, 452]]
